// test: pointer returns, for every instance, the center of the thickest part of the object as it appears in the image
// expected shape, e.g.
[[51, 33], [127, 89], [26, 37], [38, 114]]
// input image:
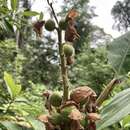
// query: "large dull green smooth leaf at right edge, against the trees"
[[119, 54]]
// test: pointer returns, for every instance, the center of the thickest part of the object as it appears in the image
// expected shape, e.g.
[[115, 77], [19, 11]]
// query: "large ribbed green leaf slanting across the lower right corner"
[[117, 109]]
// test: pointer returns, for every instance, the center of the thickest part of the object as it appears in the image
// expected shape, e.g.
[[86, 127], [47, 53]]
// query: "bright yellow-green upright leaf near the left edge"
[[13, 89]]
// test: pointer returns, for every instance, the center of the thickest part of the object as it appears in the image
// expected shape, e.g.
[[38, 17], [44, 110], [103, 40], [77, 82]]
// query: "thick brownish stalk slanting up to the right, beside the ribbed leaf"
[[104, 94]]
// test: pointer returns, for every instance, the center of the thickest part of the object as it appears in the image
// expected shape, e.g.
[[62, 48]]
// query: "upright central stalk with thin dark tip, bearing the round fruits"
[[65, 81]]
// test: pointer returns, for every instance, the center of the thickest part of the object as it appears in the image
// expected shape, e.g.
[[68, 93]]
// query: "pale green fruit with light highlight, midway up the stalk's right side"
[[68, 49]]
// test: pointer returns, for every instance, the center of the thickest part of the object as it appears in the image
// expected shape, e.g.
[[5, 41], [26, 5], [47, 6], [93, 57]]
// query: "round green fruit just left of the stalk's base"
[[55, 99]]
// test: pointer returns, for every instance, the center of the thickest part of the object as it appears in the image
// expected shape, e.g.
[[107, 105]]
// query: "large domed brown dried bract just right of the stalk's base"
[[81, 93]]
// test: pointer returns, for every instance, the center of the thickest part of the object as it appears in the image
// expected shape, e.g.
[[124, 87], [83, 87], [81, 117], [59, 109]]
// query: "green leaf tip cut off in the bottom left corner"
[[10, 125]]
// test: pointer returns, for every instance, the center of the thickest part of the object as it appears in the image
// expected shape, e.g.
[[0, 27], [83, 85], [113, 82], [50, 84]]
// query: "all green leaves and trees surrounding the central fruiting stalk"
[[29, 65]]
